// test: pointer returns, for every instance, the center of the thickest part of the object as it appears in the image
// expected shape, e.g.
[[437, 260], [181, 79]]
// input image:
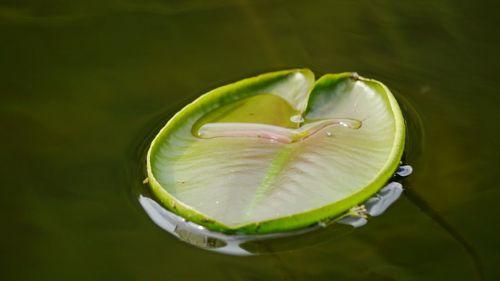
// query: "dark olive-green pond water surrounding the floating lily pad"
[[84, 85]]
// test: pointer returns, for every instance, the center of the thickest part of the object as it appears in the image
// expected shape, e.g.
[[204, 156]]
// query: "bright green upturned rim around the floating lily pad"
[[285, 223]]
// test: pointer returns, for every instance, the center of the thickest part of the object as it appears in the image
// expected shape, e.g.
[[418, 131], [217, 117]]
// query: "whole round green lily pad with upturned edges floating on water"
[[277, 152]]
